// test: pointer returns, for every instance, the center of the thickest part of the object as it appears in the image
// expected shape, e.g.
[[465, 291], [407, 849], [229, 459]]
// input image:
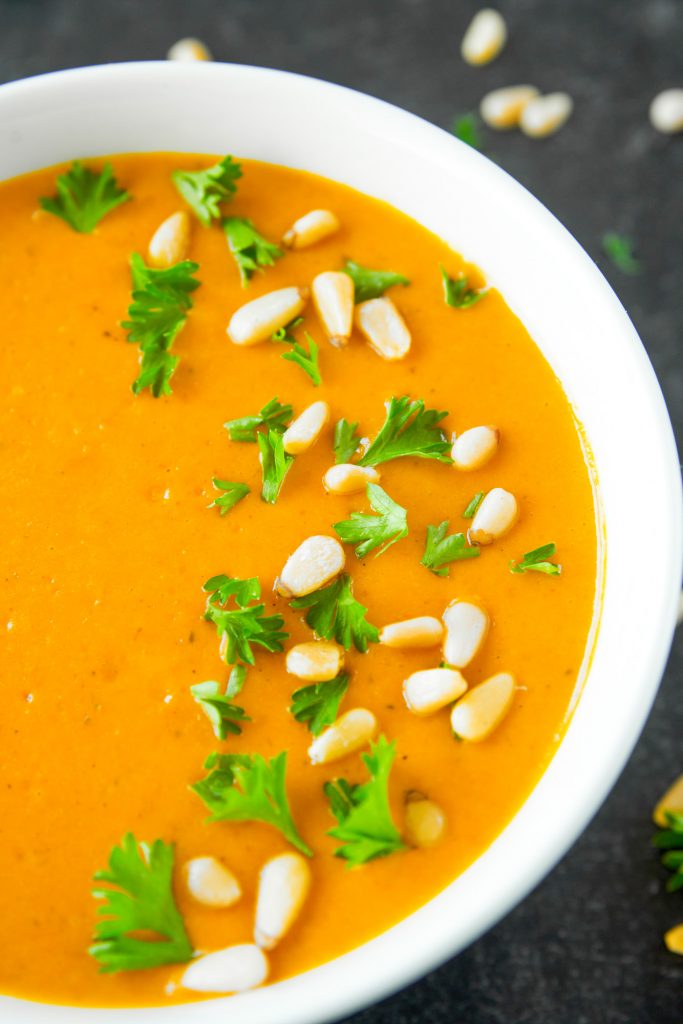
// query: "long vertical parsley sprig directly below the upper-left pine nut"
[[158, 314]]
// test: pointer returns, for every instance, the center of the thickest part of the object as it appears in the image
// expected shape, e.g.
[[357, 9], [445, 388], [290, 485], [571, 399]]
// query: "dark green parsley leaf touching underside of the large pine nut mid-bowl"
[[333, 612]]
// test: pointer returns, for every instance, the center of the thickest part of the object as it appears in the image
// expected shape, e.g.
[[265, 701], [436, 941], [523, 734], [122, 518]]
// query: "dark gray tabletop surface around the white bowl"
[[586, 948]]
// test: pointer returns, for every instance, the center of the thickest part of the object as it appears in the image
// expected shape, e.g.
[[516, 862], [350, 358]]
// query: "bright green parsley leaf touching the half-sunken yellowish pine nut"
[[366, 827]]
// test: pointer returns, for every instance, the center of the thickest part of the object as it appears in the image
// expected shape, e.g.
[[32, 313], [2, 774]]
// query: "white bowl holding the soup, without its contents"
[[586, 335]]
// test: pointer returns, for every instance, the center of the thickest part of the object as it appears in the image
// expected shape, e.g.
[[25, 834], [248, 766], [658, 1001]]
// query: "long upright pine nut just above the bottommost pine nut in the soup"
[[283, 887]]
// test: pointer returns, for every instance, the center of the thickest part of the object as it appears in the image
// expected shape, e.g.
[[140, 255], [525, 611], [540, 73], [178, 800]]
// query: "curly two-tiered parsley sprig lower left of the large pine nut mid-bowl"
[[240, 628]]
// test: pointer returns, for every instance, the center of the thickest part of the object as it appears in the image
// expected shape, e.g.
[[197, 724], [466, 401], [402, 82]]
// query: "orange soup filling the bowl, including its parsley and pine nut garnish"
[[119, 507]]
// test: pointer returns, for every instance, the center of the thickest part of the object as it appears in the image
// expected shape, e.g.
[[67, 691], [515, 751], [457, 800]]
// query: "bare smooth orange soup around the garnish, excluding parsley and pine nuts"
[[107, 541]]
